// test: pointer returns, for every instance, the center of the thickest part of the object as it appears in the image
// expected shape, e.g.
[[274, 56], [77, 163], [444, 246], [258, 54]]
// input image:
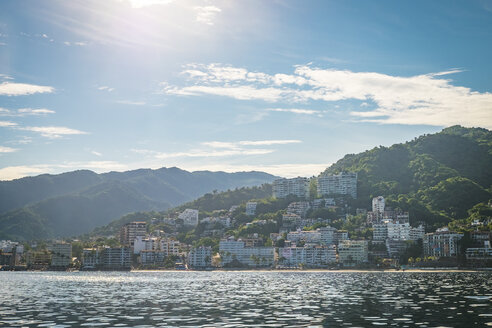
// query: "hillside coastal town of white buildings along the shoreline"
[[303, 235]]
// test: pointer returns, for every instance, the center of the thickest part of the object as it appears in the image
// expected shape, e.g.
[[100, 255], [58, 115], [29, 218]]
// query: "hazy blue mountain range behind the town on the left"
[[74, 203]]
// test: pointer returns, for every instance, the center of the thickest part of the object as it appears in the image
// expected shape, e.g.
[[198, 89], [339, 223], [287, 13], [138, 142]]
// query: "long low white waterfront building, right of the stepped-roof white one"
[[308, 256]]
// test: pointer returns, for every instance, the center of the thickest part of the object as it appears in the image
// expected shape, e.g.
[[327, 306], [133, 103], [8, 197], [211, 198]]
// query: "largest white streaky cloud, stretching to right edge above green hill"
[[428, 99]]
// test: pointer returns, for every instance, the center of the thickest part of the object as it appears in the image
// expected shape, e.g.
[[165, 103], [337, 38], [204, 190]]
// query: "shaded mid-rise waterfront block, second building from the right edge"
[[442, 243]]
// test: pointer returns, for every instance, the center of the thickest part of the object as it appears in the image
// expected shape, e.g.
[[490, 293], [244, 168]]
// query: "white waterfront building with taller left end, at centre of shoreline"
[[231, 250]]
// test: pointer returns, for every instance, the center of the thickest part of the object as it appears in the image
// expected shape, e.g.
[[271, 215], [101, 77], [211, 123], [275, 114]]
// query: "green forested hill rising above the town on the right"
[[437, 177]]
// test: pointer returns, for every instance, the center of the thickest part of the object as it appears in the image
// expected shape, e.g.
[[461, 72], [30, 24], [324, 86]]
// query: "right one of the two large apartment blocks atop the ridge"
[[344, 183]]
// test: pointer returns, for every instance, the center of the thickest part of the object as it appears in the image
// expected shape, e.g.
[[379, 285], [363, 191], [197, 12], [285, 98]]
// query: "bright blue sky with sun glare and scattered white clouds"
[[285, 87]]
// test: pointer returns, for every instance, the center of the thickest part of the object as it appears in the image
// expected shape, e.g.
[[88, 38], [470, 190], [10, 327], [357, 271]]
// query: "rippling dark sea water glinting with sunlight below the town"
[[245, 299]]
